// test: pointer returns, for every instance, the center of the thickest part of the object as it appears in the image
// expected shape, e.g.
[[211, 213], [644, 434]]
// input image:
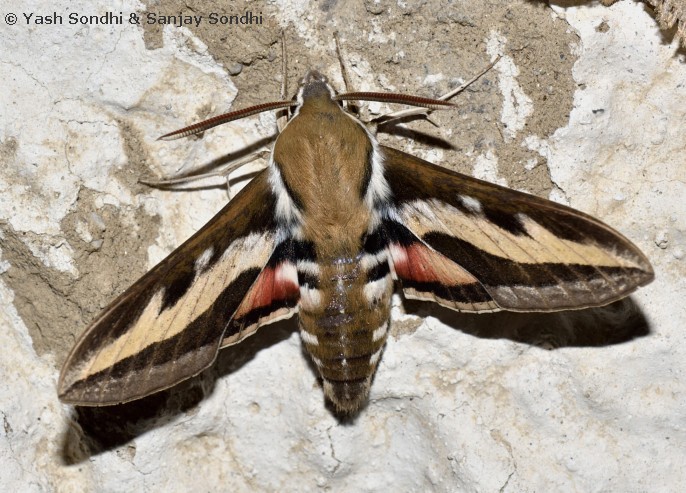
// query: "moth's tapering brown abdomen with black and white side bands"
[[344, 318]]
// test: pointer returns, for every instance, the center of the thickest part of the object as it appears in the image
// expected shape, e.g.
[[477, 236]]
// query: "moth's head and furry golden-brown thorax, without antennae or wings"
[[325, 160]]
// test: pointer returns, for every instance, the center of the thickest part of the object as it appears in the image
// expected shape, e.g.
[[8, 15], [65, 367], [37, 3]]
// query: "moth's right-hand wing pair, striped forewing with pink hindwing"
[[475, 246]]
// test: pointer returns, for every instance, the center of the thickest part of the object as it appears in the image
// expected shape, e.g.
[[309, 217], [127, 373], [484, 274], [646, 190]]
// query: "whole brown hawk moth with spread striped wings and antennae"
[[324, 232]]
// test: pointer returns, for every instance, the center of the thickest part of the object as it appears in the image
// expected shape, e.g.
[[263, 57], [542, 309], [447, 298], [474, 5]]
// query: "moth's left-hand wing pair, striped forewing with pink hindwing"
[[170, 324]]
